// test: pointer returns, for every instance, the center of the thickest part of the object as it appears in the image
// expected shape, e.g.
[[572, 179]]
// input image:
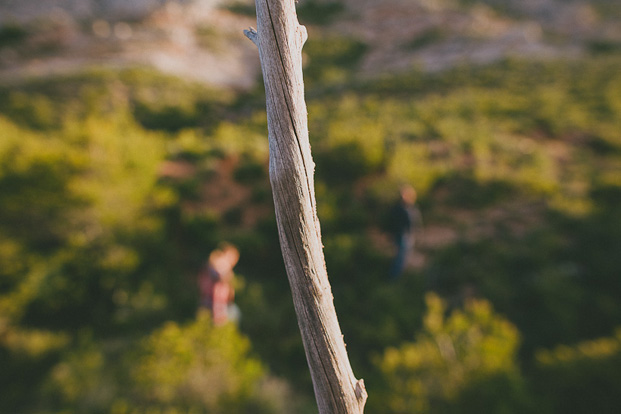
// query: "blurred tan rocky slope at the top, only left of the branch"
[[195, 40]]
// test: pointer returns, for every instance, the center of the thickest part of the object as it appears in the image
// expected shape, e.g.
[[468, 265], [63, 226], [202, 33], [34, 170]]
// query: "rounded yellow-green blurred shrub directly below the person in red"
[[195, 366]]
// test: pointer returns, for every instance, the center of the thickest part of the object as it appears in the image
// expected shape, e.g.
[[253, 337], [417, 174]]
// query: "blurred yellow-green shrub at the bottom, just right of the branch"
[[452, 357]]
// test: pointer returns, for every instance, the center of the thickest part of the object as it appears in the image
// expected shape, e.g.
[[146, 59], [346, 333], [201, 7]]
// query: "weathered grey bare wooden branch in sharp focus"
[[280, 38]]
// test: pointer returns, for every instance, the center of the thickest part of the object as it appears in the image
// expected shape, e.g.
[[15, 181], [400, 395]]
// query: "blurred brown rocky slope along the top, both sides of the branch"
[[202, 39]]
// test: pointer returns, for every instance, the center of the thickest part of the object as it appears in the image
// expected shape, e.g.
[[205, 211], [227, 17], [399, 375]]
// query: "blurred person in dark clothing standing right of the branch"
[[405, 218]]
